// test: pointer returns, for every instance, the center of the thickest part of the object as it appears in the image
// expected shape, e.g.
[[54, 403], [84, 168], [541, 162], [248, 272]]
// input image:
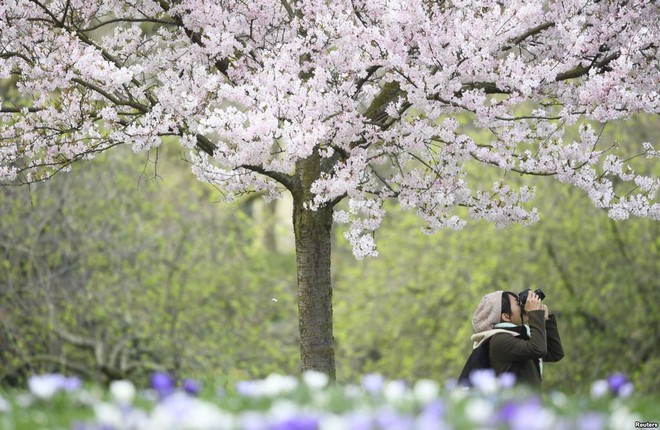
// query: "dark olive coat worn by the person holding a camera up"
[[520, 354]]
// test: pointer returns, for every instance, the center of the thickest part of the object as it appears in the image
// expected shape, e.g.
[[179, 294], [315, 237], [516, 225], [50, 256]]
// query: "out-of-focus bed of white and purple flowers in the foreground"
[[313, 403]]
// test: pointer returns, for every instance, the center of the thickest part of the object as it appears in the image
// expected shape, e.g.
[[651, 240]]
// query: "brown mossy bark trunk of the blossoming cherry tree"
[[313, 247]]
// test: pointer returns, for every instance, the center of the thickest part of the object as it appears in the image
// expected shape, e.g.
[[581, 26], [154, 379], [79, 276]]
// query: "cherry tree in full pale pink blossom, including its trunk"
[[357, 101]]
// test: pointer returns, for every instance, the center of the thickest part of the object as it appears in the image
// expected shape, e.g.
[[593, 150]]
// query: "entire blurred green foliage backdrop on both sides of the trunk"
[[135, 255]]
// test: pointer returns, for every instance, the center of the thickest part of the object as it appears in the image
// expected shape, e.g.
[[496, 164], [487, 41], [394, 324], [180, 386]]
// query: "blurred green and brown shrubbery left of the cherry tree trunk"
[[120, 286]]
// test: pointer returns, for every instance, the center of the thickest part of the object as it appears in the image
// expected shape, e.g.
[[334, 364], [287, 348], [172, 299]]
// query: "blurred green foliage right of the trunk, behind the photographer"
[[408, 312]]
